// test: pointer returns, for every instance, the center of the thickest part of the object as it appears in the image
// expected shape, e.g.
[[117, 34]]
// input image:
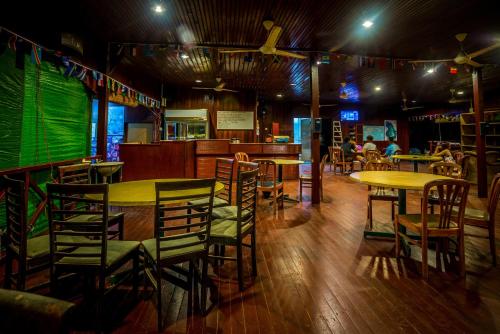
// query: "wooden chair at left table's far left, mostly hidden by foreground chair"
[[80, 174]]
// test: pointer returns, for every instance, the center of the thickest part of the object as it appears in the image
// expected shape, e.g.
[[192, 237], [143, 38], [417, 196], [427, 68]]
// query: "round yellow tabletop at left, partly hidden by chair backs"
[[142, 193]]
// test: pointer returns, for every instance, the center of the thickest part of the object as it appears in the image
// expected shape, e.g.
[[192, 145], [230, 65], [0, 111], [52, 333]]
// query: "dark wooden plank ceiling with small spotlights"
[[403, 29]]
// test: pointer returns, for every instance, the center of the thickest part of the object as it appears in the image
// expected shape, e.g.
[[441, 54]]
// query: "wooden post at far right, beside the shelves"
[[477, 84]]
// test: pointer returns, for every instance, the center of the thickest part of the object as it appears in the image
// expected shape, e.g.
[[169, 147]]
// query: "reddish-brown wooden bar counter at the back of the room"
[[196, 158]]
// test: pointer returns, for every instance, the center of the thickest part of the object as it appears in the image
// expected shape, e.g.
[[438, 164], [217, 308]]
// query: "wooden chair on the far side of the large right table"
[[380, 193]]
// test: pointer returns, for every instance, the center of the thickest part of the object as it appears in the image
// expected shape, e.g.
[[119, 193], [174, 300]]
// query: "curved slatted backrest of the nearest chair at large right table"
[[451, 196]]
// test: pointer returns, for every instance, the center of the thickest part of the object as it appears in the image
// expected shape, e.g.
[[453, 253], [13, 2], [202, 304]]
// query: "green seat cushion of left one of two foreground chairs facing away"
[[116, 250]]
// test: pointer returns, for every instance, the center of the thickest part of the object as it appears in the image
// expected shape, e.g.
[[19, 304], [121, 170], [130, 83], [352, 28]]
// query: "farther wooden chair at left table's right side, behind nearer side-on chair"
[[223, 174]]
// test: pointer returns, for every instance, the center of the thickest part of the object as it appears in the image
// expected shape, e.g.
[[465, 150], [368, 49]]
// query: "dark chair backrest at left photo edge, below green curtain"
[[16, 205]]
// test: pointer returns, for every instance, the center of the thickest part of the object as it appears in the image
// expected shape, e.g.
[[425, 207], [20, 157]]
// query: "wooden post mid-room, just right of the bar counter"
[[315, 152]]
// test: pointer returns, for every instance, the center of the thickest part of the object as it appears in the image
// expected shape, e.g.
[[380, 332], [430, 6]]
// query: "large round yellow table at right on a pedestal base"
[[396, 180]]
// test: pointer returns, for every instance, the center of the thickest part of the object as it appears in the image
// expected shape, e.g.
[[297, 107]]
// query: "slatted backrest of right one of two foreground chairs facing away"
[[182, 221]]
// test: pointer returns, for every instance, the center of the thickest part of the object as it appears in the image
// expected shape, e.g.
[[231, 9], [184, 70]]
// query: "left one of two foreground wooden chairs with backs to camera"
[[82, 246]]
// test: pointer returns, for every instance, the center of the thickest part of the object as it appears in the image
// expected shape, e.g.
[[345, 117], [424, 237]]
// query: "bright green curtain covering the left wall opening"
[[44, 117]]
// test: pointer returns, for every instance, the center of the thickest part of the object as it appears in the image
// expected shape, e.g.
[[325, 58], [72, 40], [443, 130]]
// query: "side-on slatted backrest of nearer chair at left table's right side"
[[246, 198]]
